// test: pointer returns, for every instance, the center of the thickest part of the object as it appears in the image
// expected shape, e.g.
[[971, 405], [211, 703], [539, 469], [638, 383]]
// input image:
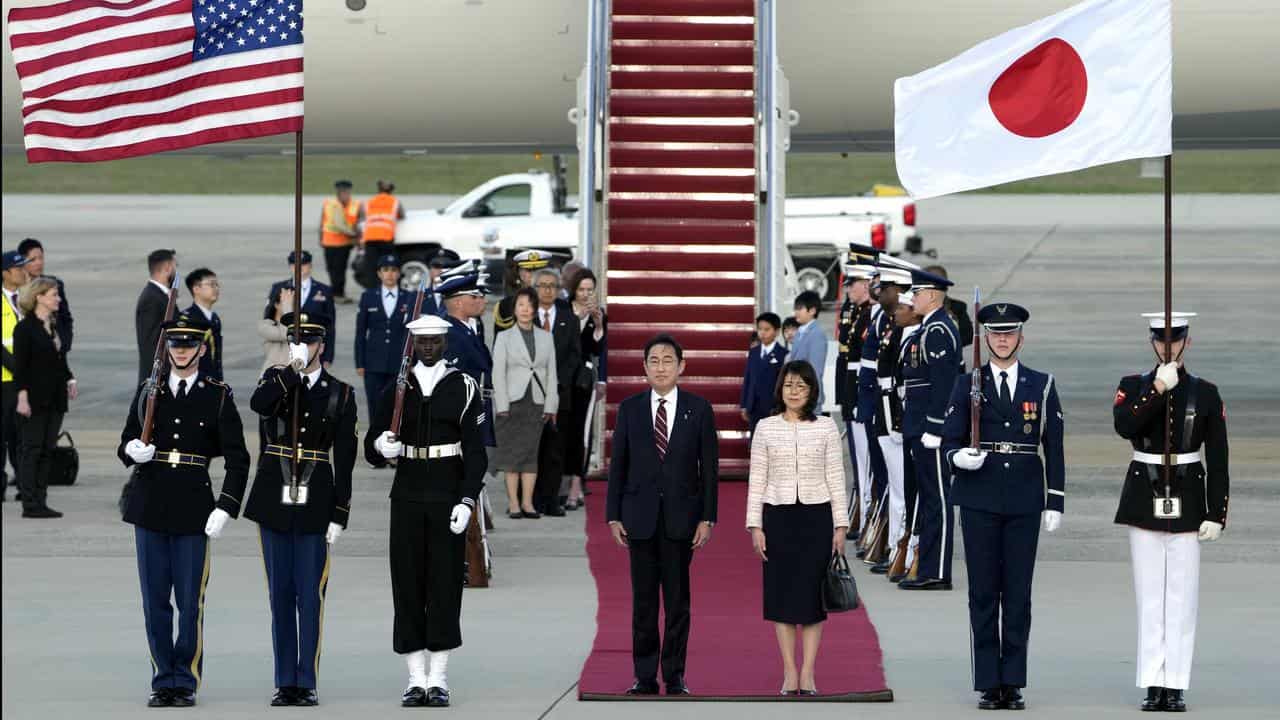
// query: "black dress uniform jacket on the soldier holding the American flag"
[[328, 426]]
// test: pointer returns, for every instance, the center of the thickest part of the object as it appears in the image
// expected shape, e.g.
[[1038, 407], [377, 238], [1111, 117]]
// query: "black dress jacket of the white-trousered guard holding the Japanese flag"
[[1199, 427]]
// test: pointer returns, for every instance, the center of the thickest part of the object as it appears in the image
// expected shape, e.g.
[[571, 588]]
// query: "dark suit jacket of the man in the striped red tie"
[[684, 485]]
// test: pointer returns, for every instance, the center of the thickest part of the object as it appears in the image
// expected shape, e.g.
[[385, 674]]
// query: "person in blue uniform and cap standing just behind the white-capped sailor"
[[385, 311]]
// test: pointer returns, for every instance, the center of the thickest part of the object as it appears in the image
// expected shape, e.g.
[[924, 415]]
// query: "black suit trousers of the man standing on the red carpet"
[[660, 563]]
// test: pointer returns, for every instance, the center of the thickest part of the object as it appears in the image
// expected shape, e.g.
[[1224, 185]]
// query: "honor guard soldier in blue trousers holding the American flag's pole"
[[301, 500]]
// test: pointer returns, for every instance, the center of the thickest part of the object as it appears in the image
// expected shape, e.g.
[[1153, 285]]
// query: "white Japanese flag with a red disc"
[[1087, 86]]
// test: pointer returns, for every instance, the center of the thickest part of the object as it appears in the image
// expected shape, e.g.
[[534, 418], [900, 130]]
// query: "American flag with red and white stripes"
[[106, 80]]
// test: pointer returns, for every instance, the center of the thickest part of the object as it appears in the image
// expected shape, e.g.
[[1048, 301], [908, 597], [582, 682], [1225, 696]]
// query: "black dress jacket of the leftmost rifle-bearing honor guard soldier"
[[177, 499]]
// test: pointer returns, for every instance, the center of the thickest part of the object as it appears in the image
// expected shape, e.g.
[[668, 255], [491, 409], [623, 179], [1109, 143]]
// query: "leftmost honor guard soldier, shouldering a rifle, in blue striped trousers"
[[171, 504]]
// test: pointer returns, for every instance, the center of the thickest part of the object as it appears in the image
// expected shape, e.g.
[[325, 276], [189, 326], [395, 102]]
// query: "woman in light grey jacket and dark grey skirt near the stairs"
[[525, 398]]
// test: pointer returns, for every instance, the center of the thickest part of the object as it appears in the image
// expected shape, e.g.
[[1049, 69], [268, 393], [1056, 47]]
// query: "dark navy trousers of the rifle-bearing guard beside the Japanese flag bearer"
[[1000, 555]]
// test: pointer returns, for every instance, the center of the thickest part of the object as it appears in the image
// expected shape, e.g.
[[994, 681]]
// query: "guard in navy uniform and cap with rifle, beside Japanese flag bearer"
[[1004, 487]]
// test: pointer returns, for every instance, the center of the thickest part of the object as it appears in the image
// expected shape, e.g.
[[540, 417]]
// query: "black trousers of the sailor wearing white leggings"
[[427, 577]]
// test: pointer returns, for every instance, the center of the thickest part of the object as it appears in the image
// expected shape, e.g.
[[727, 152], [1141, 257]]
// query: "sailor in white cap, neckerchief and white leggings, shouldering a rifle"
[[441, 462]]
